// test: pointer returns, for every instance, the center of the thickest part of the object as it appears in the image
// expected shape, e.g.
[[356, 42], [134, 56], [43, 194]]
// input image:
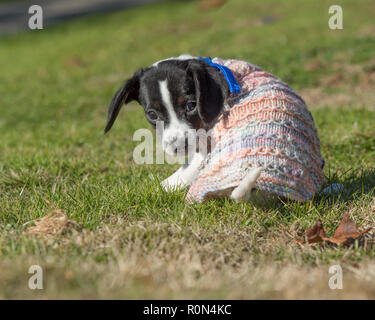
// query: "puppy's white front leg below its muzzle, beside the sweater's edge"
[[185, 175]]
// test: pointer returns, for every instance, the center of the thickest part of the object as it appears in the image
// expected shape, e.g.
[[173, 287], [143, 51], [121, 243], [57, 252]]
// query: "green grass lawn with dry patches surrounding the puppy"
[[131, 239]]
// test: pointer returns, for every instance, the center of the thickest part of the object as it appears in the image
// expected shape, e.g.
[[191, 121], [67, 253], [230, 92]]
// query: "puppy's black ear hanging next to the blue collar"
[[211, 90]]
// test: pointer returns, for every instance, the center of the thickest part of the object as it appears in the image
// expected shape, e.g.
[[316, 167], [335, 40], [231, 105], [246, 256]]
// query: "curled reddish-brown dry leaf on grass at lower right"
[[346, 231]]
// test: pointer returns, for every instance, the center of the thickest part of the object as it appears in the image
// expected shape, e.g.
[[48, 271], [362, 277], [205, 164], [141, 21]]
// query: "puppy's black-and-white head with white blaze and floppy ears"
[[185, 93]]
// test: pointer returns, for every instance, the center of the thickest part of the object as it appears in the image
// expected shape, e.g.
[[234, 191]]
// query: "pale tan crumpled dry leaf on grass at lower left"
[[55, 223]]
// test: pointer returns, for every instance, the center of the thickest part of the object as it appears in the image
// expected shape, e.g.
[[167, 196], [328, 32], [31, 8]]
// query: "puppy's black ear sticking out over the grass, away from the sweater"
[[128, 92]]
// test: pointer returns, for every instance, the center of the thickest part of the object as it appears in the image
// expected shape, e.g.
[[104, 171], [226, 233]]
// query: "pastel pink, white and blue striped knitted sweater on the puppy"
[[267, 125]]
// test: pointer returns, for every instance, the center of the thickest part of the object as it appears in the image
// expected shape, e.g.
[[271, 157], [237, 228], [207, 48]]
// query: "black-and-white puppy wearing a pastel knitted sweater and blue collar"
[[187, 93]]
